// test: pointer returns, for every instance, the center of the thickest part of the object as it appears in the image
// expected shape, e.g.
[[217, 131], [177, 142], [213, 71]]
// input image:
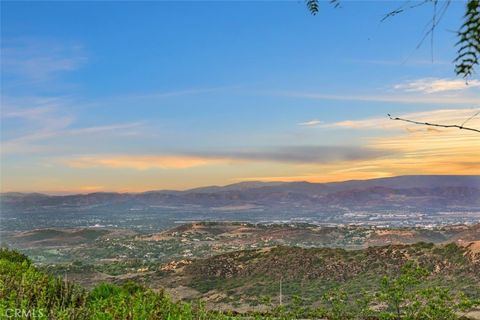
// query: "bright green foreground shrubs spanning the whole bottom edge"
[[32, 294]]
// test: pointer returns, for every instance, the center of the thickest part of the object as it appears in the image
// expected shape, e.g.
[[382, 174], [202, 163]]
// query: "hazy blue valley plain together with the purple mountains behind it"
[[403, 201]]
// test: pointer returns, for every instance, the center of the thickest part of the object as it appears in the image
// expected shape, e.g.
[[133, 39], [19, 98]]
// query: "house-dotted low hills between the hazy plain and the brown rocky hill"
[[118, 251]]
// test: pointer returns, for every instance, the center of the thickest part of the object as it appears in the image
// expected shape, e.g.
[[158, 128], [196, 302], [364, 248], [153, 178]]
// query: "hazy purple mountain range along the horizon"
[[409, 191]]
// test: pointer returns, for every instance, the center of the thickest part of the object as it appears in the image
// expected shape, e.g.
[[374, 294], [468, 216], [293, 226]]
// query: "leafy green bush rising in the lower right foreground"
[[407, 296]]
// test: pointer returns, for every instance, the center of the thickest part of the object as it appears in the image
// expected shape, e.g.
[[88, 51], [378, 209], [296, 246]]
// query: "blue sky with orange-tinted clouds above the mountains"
[[136, 96]]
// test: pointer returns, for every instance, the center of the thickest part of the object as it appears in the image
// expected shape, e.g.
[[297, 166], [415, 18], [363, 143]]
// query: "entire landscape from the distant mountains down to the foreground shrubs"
[[256, 247]]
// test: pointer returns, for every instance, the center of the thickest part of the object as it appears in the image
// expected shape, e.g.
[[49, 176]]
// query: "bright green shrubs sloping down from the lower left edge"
[[32, 294]]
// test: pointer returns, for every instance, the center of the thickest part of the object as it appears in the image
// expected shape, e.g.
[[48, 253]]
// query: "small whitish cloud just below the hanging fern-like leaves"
[[434, 85]]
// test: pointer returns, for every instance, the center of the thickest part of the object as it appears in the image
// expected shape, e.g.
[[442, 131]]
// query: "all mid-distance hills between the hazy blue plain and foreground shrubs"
[[238, 266]]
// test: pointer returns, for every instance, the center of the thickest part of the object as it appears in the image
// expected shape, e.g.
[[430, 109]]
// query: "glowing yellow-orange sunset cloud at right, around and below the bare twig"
[[412, 149]]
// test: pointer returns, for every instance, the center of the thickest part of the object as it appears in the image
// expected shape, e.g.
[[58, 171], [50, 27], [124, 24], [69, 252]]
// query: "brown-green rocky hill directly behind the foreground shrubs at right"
[[242, 278]]
